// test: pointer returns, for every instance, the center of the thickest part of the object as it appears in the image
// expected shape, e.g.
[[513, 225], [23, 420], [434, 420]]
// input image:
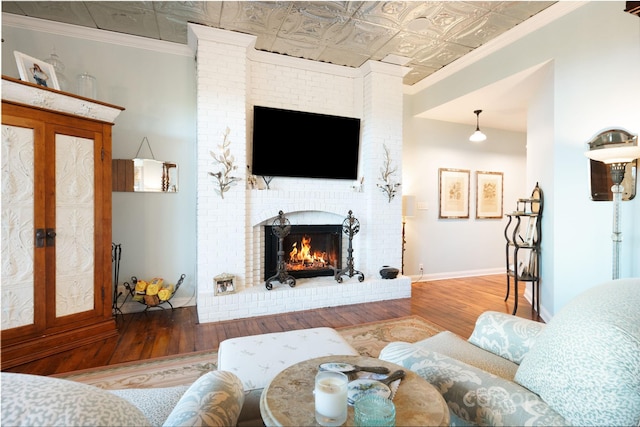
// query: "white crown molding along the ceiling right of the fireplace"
[[547, 16]]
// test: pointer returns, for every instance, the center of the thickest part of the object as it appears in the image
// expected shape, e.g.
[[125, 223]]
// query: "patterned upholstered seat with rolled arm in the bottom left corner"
[[214, 399]]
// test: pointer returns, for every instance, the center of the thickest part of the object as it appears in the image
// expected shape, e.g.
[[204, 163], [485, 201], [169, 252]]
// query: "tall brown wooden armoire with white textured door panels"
[[56, 282]]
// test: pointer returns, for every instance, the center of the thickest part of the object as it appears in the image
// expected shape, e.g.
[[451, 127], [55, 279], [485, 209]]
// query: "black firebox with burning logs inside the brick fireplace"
[[309, 251]]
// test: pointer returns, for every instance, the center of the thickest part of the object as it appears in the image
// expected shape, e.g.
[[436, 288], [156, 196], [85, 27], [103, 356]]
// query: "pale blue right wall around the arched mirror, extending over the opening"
[[594, 55]]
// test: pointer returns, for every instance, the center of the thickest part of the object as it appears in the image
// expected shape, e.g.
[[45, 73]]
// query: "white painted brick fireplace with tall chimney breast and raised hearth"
[[232, 77]]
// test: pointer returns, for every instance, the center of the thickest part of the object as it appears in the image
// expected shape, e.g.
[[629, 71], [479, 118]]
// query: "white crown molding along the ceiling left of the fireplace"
[[94, 34]]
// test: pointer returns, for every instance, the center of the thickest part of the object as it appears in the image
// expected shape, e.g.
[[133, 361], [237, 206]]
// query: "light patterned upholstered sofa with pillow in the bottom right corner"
[[582, 368]]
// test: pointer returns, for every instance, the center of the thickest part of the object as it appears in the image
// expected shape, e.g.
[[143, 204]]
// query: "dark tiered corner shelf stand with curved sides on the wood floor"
[[523, 234]]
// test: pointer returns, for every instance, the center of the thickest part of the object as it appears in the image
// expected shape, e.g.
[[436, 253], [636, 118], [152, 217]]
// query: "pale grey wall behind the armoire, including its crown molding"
[[155, 83]]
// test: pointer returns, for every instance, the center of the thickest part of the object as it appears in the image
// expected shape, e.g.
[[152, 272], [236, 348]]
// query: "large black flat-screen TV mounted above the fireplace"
[[304, 145]]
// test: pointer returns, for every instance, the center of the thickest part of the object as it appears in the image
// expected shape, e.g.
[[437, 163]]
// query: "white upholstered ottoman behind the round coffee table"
[[256, 359]]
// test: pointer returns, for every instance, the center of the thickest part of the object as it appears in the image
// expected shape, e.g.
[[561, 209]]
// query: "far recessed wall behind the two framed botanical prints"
[[458, 247]]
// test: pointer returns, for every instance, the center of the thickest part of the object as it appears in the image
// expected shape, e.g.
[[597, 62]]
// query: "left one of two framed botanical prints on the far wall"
[[454, 193]]
